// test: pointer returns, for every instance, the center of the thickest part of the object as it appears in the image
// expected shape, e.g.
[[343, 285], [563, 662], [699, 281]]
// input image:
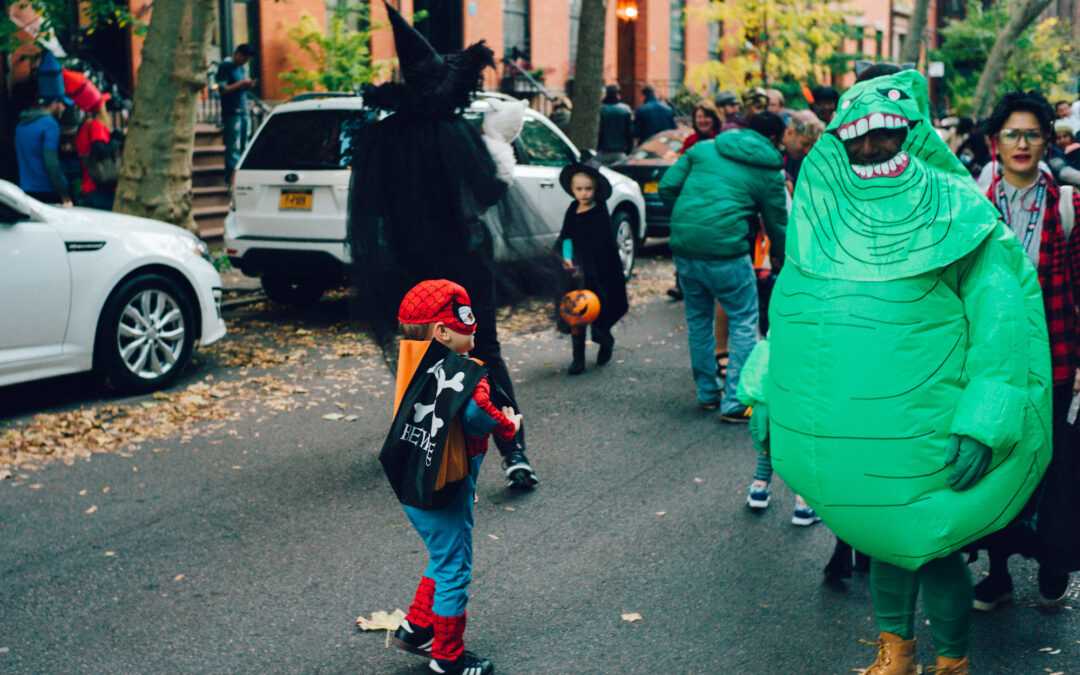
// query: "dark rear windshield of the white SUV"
[[308, 140]]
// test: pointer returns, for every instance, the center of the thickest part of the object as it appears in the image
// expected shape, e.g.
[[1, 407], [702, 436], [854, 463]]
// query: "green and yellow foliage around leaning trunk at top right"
[[1042, 59]]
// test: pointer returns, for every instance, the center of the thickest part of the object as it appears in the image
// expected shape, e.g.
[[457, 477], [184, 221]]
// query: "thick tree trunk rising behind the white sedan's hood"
[[156, 173]]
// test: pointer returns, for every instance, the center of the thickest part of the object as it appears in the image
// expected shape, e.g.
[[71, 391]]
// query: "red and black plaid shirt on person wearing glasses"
[[1060, 277]]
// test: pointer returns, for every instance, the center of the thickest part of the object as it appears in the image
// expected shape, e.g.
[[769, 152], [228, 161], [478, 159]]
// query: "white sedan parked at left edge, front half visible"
[[92, 290]]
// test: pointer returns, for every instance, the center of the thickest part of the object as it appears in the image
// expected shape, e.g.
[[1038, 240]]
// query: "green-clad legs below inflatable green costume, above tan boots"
[[947, 595]]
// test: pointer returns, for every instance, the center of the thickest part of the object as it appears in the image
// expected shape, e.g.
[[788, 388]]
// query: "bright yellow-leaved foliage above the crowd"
[[798, 40]]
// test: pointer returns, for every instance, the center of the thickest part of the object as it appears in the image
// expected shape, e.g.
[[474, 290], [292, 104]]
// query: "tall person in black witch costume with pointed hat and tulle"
[[422, 179]]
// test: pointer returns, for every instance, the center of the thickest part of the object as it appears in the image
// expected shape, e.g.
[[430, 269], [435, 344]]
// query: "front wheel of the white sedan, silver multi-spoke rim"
[[146, 334]]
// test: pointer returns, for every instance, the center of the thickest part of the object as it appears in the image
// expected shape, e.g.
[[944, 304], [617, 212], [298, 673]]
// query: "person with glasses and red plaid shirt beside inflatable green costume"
[[1042, 214]]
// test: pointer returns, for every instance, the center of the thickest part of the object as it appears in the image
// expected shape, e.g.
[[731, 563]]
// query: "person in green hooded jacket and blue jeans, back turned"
[[718, 186]]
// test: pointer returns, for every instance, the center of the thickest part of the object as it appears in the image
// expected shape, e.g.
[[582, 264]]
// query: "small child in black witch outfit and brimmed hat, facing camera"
[[591, 255]]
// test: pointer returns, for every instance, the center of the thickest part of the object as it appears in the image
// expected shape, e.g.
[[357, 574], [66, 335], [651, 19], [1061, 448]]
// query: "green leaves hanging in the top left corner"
[[60, 21]]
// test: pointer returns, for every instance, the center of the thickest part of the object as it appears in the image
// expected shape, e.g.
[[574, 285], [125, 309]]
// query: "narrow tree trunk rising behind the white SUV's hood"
[[589, 75]]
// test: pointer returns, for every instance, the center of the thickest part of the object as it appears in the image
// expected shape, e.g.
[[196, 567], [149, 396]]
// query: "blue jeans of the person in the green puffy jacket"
[[732, 283]]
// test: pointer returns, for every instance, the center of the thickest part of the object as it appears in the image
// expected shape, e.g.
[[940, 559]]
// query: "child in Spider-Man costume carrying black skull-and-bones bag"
[[438, 326]]
